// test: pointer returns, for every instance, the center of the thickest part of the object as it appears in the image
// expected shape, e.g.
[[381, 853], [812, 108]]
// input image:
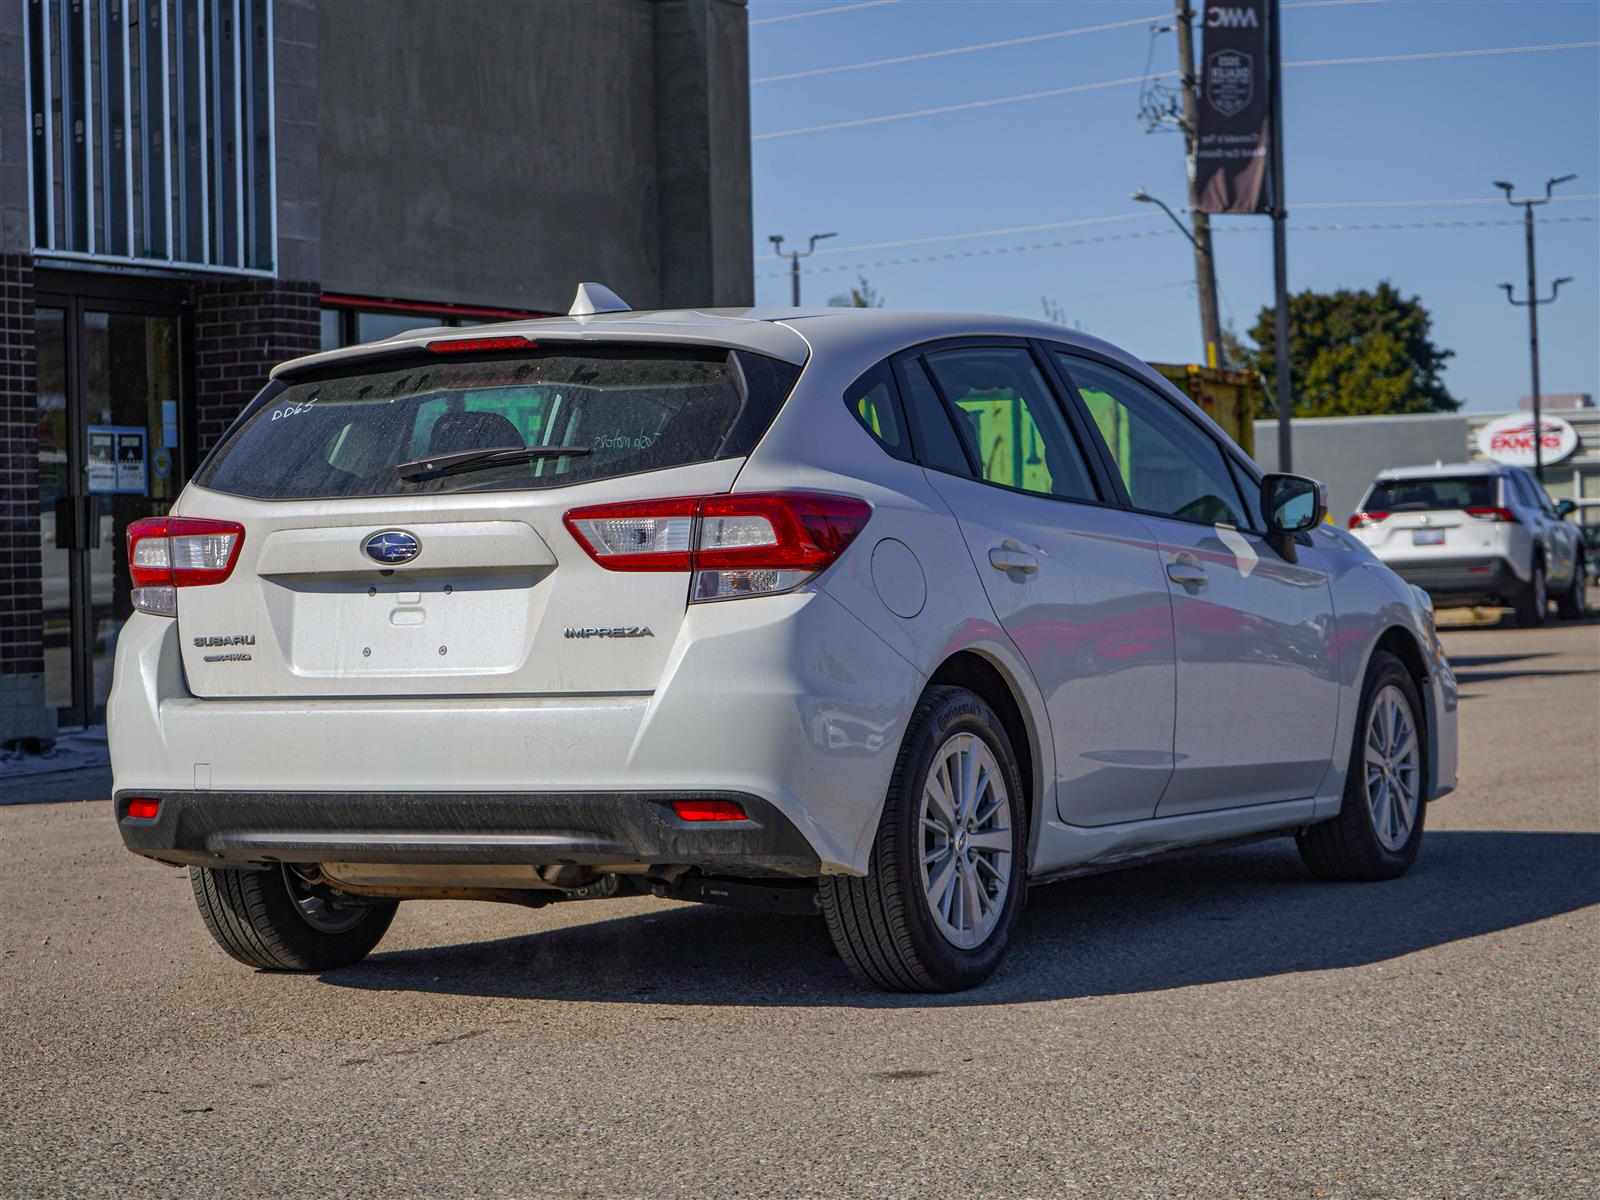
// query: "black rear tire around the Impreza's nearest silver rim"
[[884, 926]]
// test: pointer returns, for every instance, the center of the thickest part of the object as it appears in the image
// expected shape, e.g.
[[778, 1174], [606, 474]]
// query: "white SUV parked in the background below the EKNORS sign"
[[1476, 534]]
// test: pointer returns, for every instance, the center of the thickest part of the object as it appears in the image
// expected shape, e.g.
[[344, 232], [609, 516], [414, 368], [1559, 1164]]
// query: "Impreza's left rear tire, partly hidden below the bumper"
[[258, 921]]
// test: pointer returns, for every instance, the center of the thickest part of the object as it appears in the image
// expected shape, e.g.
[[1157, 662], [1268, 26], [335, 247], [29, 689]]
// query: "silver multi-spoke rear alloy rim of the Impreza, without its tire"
[[966, 841]]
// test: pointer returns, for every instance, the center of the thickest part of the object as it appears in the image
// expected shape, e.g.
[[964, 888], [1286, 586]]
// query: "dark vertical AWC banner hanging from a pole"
[[1233, 142]]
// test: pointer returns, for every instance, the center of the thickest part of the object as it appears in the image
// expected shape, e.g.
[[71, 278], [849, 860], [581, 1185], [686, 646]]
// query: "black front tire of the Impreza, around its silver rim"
[[1348, 847]]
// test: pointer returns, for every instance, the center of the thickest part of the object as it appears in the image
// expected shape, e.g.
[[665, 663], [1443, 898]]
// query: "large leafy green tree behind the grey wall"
[[1358, 354]]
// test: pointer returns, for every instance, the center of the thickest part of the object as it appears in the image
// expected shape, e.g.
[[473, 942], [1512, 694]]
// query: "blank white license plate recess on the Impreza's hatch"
[[418, 628]]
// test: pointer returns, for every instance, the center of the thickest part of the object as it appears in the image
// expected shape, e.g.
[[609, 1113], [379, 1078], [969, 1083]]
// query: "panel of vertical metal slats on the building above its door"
[[154, 134]]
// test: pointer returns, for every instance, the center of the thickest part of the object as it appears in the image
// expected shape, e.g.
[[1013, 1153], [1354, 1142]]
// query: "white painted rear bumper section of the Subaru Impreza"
[[788, 700]]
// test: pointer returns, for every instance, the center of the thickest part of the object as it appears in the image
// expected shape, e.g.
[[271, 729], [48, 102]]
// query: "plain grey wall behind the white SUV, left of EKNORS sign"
[[1348, 452]]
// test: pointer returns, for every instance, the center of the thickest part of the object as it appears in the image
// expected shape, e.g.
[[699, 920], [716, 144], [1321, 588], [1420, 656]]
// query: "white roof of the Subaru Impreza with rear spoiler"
[[782, 334]]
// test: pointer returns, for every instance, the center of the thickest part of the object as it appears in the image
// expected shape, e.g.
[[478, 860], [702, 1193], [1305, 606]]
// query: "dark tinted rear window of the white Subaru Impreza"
[[620, 410]]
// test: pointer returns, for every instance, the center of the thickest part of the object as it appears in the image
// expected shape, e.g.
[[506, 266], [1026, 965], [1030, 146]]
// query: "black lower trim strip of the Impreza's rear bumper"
[[246, 830]]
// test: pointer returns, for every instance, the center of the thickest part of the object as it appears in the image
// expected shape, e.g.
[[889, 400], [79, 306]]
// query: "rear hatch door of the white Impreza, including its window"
[[378, 561]]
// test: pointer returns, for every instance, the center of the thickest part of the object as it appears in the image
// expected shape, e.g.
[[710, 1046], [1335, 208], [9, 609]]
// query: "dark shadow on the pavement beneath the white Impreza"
[[1223, 916]]
